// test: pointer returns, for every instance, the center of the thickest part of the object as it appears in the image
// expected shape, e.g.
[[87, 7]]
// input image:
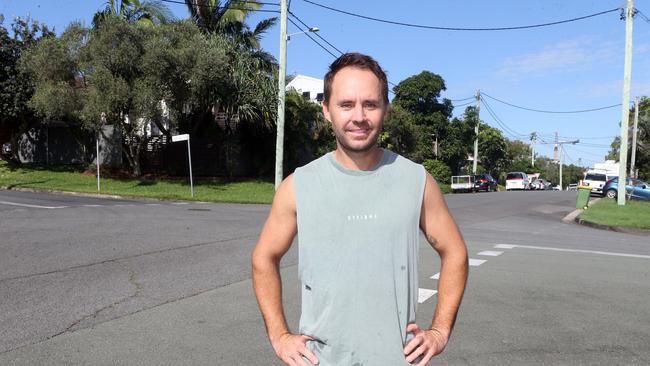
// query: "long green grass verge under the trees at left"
[[73, 179]]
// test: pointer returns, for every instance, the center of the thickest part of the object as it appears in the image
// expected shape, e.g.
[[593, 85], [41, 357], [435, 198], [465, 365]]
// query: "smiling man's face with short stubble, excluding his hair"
[[356, 109]]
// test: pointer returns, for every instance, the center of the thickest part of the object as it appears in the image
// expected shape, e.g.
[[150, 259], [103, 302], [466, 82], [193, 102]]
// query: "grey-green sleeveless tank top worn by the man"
[[358, 234]]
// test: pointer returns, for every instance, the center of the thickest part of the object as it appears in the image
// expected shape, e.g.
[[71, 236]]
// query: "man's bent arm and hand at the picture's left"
[[275, 240]]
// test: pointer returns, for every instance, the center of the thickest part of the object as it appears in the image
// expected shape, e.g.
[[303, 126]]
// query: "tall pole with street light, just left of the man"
[[279, 142]]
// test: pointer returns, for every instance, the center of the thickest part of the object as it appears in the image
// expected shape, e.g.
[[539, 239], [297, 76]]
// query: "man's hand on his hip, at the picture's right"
[[426, 343]]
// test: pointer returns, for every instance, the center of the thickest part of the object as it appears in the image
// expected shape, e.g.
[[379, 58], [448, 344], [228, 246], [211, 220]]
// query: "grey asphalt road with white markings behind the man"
[[114, 281]]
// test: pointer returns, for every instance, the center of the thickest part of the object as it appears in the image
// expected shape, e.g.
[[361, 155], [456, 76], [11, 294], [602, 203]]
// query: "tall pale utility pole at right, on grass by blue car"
[[625, 108]]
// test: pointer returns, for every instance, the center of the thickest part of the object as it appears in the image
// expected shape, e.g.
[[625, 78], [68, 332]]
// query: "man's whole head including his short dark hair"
[[356, 102]]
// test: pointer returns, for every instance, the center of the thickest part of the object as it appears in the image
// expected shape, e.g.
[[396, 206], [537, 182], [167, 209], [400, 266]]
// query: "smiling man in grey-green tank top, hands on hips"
[[357, 212]]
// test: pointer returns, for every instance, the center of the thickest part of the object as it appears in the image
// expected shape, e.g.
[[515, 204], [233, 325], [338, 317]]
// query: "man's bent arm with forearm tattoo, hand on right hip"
[[444, 236]]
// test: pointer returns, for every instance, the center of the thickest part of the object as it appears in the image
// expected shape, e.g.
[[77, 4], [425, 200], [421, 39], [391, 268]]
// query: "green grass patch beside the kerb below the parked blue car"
[[635, 214]]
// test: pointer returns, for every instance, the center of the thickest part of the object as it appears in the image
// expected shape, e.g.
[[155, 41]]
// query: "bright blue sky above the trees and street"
[[572, 66]]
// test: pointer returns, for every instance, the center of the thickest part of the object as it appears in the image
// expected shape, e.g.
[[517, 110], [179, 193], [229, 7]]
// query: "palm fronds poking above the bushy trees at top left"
[[144, 12]]
